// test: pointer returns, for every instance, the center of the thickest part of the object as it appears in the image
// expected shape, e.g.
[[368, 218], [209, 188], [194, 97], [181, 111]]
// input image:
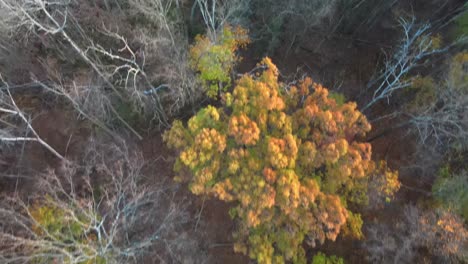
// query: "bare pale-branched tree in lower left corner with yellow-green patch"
[[96, 211]]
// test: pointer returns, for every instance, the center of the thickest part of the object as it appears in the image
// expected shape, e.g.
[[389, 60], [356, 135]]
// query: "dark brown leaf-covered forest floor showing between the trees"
[[340, 63]]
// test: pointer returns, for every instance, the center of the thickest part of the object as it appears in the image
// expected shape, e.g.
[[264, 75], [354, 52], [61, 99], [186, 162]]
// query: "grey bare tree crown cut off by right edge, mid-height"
[[438, 113]]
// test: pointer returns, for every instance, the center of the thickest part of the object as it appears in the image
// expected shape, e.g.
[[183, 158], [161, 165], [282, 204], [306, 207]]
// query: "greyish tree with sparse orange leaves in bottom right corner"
[[440, 231]]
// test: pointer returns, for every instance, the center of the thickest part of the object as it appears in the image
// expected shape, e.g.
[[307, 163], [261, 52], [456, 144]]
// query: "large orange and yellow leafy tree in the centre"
[[289, 157]]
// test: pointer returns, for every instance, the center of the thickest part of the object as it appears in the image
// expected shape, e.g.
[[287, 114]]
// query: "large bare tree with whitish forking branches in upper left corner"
[[117, 45]]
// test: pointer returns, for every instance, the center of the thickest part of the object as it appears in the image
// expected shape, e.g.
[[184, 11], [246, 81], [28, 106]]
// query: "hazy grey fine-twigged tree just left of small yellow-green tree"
[[166, 46]]
